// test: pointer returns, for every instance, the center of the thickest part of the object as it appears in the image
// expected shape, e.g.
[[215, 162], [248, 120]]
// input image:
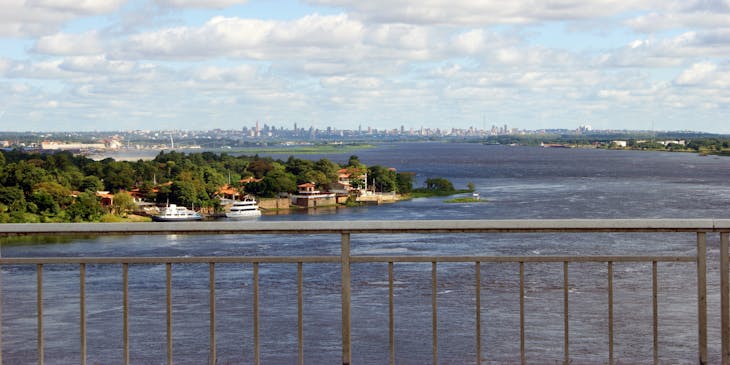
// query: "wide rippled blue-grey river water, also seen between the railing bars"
[[517, 182]]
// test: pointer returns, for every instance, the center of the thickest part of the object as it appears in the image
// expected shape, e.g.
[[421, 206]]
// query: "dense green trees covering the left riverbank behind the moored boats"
[[61, 187]]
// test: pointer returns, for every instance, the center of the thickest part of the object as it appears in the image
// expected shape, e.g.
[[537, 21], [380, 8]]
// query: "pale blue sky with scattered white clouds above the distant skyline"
[[203, 64]]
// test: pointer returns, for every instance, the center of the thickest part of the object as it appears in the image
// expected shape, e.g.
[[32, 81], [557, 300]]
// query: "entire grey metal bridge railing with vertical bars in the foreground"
[[700, 227]]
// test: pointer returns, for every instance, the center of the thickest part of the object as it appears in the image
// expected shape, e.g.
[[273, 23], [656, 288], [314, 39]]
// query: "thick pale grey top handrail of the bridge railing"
[[404, 226]]
